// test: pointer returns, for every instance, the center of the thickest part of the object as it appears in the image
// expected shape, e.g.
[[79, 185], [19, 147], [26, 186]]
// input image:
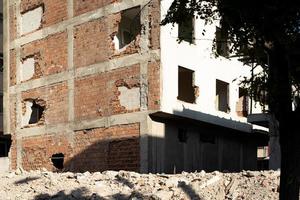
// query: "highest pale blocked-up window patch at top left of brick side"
[[31, 20]]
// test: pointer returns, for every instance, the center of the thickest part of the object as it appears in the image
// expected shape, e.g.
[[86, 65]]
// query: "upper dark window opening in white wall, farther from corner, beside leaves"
[[222, 44]]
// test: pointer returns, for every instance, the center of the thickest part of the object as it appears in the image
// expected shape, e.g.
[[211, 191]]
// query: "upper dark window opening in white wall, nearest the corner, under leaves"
[[186, 30]]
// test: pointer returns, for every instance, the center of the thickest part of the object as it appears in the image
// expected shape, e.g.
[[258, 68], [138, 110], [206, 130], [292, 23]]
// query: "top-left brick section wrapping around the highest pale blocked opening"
[[54, 10]]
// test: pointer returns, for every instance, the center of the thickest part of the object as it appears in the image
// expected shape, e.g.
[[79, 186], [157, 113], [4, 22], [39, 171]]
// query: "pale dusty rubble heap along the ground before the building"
[[130, 185]]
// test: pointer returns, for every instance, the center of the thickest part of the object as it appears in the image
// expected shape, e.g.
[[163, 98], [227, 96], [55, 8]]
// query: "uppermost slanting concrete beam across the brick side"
[[95, 14]]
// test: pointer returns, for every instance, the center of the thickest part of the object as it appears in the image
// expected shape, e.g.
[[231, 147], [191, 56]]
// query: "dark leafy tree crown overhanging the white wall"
[[252, 27]]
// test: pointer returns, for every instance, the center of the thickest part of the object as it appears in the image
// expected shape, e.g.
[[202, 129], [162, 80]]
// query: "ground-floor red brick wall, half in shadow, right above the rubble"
[[99, 149]]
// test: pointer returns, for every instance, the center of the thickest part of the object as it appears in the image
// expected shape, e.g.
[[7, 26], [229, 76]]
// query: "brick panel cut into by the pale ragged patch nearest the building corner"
[[97, 95]]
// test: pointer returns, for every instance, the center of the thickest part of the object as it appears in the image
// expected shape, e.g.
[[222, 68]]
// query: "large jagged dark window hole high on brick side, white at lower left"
[[129, 27]]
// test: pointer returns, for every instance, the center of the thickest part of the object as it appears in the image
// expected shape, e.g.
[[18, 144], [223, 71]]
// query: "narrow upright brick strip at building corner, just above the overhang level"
[[154, 85]]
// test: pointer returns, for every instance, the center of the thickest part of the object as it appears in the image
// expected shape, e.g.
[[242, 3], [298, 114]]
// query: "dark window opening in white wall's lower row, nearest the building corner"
[[186, 88]]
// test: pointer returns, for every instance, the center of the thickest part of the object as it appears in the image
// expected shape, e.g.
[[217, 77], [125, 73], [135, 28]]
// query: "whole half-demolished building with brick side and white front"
[[97, 84]]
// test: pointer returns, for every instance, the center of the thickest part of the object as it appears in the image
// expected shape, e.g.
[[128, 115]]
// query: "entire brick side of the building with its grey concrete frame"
[[92, 99]]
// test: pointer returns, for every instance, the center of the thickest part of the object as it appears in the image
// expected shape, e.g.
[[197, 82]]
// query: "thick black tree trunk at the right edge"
[[281, 105]]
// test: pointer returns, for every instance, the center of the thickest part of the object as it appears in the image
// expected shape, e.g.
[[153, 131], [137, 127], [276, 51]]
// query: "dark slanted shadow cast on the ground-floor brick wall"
[[116, 154]]
